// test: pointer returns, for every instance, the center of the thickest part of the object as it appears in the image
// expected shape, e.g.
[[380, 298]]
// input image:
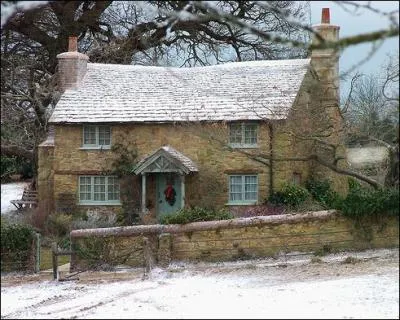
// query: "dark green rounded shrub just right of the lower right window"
[[291, 195]]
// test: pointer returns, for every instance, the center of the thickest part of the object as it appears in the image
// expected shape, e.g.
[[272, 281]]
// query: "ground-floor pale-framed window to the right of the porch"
[[243, 189]]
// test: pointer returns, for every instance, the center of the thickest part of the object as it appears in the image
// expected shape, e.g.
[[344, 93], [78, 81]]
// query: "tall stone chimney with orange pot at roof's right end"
[[326, 61]]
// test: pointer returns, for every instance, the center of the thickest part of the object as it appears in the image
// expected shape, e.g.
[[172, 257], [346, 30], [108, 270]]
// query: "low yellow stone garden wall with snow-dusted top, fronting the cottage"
[[264, 236]]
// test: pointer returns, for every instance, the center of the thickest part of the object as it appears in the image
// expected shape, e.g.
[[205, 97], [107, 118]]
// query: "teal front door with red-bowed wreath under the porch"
[[168, 184]]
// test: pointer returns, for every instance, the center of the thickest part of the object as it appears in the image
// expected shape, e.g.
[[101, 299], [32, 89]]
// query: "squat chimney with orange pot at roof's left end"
[[72, 66]]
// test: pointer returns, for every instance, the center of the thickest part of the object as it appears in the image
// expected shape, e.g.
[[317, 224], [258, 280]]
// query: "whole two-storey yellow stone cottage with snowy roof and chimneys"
[[218, 136]]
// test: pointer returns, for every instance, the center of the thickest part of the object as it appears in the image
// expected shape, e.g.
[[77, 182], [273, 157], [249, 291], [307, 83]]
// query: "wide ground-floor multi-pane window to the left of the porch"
[[99, 190]]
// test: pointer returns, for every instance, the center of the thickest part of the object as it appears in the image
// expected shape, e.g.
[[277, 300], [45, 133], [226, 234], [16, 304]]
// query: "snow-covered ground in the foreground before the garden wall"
[[286, 288]]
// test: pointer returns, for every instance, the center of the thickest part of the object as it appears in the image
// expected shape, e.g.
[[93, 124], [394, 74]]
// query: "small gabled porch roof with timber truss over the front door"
[[165, 159]]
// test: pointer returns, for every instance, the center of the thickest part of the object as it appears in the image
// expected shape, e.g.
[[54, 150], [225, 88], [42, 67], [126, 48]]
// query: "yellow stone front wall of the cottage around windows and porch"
[[204, 144]]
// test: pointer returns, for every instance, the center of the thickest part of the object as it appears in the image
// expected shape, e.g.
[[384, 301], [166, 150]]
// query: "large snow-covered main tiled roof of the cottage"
[[250, 90]]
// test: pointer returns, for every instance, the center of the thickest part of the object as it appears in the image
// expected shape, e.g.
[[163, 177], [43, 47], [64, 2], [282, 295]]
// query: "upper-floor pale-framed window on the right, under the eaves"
[[243, 135]]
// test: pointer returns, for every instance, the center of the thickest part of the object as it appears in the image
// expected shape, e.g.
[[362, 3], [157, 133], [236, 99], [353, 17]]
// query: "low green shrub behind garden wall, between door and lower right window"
[[195, 214]]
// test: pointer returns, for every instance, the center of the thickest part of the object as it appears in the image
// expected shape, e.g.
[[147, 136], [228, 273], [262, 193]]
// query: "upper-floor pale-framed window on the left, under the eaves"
[[96, 137]]
